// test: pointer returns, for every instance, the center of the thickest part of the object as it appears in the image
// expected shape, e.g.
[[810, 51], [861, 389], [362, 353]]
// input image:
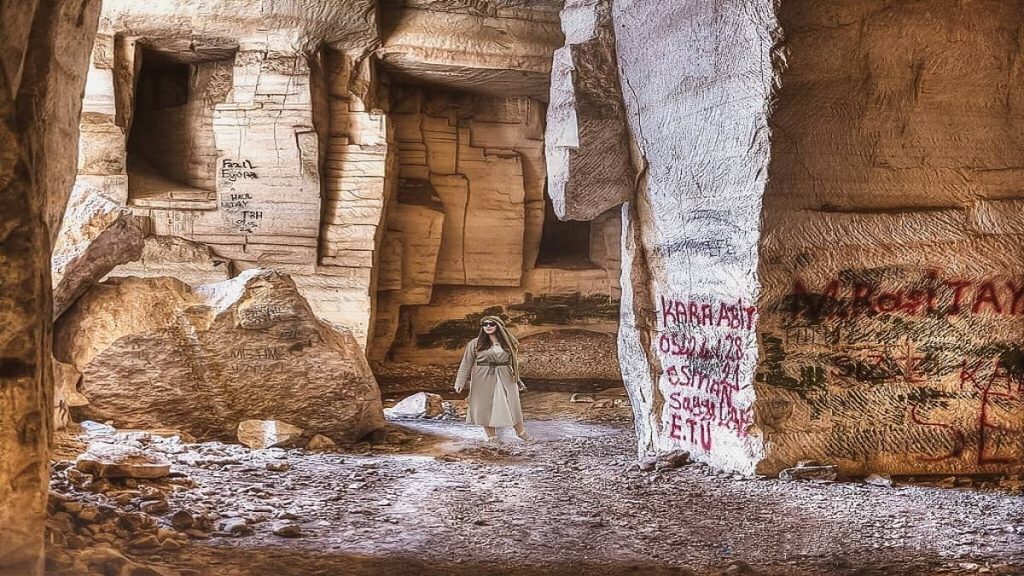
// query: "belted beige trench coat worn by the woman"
[[494, 394]]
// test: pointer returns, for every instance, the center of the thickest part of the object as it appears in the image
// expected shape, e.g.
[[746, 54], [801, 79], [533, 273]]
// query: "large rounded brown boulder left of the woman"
[[156, 353]]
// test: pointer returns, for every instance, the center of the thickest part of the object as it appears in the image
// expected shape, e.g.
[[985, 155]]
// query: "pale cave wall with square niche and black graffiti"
[[291, 117]]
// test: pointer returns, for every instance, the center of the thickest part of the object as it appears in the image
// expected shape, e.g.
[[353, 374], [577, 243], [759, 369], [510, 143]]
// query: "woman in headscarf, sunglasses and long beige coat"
[[491, 367]]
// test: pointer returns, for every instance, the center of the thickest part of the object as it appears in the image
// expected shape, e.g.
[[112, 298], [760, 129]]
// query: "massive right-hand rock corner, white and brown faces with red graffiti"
[[822, 259]]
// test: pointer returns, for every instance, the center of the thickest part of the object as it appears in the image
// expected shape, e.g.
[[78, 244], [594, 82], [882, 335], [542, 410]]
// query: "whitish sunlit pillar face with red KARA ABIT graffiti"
[[689, 340]]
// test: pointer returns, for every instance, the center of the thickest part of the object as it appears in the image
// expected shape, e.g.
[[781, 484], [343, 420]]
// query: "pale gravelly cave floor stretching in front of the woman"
[[433, 499]]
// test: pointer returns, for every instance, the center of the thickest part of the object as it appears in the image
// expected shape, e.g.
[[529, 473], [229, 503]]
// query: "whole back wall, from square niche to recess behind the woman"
[[396, 172]]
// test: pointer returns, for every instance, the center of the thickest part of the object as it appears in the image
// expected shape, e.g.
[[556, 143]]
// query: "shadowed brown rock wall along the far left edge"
[[45, 47]]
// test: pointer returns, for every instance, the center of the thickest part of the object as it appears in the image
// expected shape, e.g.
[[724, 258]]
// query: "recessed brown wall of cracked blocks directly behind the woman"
[[465, 232]]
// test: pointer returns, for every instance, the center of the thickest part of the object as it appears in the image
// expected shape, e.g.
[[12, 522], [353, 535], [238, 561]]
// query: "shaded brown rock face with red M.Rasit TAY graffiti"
[[891, 260]]
